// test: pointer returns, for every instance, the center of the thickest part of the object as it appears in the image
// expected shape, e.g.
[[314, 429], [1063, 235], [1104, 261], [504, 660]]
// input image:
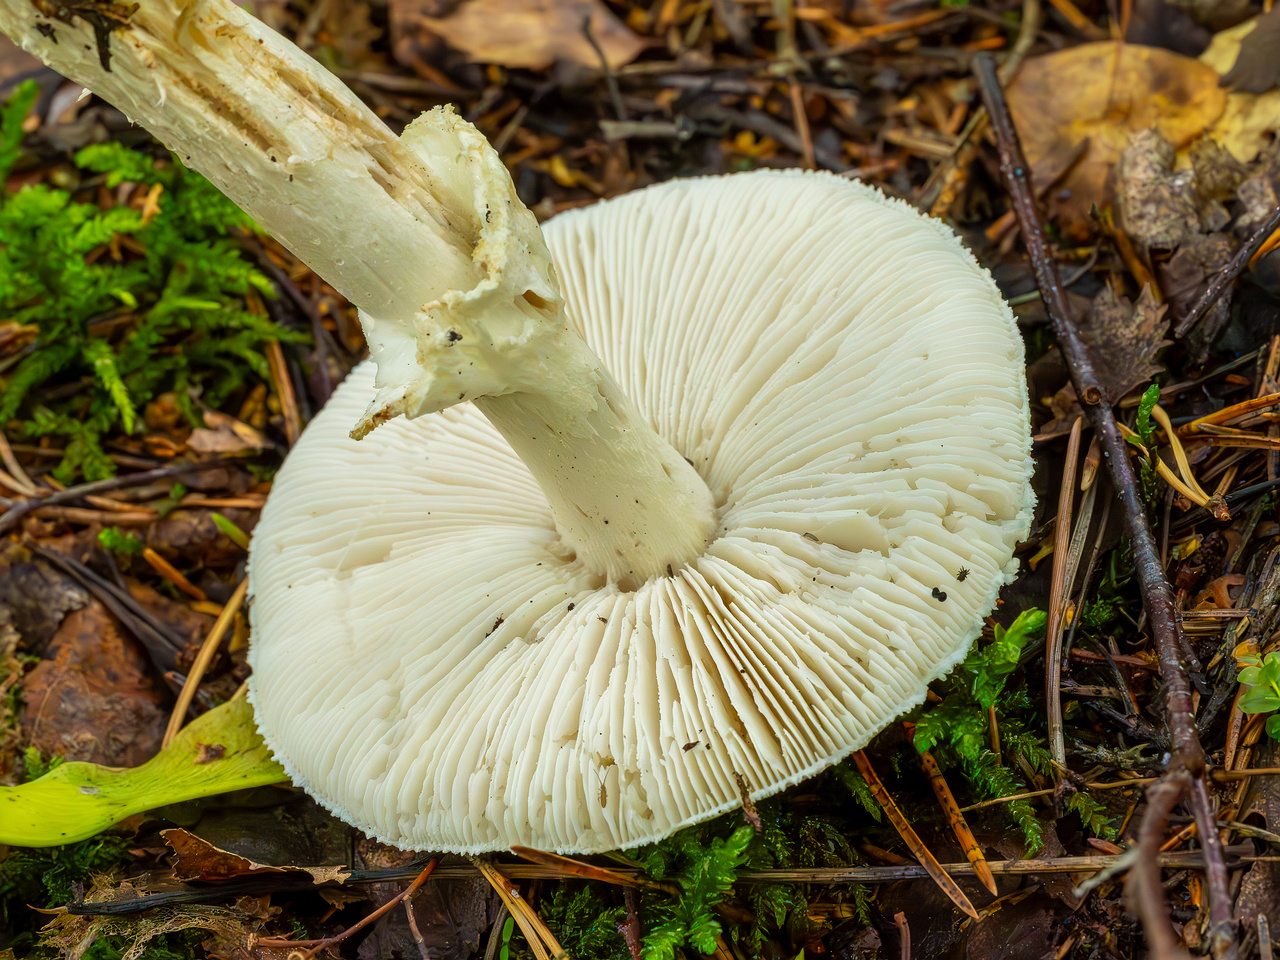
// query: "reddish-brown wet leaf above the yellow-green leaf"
[[93, 698]]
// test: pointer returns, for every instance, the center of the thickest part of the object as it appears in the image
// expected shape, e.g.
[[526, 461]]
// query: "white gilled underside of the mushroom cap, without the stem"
[[432, 666]]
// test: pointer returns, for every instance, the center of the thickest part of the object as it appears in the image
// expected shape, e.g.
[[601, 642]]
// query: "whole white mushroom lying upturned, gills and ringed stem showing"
[[724, 511]]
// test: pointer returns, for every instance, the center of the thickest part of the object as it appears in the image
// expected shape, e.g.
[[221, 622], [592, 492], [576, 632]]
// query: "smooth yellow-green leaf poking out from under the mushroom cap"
[[77, 801]]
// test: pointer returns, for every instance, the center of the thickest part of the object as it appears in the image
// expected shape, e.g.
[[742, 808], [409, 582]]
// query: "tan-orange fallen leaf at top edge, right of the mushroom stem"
[[533, 34]]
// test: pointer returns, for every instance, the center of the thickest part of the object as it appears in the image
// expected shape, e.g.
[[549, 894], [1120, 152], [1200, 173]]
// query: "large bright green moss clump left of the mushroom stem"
[[134, 301]]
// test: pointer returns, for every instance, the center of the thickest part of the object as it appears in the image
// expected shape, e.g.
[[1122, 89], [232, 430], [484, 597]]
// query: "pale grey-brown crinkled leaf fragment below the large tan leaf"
[[1156, 205]]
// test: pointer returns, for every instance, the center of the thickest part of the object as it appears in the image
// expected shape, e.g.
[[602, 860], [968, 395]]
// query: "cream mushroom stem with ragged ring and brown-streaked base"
[[424, 234]]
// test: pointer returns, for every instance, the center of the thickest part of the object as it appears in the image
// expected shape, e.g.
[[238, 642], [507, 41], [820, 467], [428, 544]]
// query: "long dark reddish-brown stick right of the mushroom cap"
[[1188, 756]]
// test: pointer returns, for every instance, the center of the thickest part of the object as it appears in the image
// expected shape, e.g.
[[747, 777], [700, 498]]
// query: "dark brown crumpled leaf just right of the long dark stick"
[[1124, 339]]
